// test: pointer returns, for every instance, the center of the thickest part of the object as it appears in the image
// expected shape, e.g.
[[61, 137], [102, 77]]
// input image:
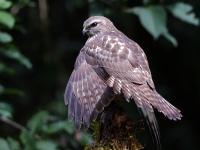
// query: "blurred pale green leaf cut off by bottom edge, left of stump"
[[46, 145]]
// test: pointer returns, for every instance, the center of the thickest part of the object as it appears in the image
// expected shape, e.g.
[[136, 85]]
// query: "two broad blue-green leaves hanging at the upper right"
[[154, 18]]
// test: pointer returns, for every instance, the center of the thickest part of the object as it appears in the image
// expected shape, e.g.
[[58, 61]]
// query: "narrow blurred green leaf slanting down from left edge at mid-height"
[[15, 54]]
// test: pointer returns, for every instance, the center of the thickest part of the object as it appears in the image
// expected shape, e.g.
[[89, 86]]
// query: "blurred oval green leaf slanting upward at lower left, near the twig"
[[37, 122]]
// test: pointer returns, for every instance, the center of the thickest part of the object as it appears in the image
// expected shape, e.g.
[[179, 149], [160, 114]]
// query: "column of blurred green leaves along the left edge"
[[9, 50]]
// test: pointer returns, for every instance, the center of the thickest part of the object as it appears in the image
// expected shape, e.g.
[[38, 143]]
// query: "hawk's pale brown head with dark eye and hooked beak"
[[96, 24]]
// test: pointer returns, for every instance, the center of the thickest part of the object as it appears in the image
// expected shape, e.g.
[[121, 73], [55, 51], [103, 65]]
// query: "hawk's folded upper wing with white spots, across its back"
[[119, 62]]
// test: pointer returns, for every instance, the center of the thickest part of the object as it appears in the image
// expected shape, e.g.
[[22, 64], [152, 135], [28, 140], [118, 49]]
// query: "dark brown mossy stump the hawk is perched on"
[[115, 130]]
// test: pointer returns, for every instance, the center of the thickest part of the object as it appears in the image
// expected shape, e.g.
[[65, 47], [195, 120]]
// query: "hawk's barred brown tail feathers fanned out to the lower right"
[[146, 98]]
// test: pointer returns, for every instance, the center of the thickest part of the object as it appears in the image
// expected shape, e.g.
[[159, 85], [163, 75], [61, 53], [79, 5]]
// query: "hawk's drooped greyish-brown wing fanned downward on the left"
[[83, 92]]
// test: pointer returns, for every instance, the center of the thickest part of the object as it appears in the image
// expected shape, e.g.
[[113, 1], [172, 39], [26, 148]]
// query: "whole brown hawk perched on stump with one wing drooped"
[[108, 64]]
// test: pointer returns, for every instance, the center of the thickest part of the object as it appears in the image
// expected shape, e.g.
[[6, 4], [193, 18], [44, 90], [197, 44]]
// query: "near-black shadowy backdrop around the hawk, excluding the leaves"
[[51, 39]]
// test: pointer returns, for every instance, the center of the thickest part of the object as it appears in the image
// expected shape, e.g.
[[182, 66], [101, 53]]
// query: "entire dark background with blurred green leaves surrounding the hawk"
[[40, 40]]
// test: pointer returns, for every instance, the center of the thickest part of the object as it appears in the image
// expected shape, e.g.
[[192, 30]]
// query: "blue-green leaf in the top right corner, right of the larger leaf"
[[184, 12]]
